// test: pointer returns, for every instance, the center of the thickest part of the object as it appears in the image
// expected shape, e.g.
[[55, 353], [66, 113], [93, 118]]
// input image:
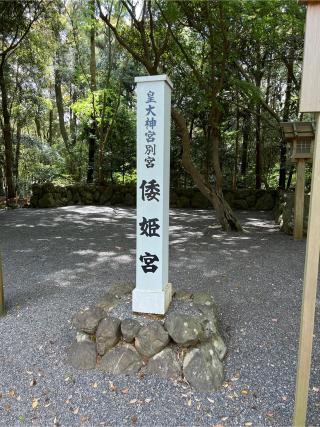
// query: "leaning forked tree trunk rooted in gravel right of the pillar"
[[224, 213]]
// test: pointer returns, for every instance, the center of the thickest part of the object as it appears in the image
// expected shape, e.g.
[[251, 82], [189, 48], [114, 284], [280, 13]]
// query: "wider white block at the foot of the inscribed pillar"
[[153, 302]]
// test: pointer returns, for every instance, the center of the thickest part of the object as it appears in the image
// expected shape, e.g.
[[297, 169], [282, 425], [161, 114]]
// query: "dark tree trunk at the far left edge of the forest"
[[7, 137]]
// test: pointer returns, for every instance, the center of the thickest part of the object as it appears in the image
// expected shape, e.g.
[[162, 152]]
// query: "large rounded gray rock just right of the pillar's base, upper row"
[[184, 329]]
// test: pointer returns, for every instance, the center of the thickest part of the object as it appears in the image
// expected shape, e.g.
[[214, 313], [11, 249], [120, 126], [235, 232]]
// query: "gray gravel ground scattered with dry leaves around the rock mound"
[[57, 261]]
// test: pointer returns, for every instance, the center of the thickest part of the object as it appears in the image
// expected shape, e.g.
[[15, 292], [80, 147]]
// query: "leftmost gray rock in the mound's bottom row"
[[82, 355]]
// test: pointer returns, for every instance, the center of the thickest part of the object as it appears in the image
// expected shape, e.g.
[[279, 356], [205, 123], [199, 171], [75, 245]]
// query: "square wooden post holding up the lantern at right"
[[299, 201]]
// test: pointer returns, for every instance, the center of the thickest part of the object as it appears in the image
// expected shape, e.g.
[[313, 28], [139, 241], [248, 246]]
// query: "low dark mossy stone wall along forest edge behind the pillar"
[[48, 196]]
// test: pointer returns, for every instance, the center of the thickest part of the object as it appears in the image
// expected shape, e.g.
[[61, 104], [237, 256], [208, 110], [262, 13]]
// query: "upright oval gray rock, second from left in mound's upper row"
[[108, 334]]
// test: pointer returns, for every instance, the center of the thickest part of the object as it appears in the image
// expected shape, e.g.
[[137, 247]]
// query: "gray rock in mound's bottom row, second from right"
[[164, 364]]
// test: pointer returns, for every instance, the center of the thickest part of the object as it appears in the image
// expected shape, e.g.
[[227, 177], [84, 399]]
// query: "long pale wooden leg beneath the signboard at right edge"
[[309, 289]]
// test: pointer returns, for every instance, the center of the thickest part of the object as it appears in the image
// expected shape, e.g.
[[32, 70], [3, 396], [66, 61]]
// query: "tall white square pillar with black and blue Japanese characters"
[[153, 293]]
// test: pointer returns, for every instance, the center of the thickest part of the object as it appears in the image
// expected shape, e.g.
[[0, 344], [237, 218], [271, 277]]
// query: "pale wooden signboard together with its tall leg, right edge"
[[310, 102]]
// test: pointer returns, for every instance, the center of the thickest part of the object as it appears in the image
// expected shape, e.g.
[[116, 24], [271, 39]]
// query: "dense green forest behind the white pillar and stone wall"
[[67, 91]]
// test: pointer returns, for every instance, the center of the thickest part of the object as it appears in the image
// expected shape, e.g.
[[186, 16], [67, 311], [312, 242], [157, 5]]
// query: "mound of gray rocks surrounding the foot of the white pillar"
[[184, 344]]
